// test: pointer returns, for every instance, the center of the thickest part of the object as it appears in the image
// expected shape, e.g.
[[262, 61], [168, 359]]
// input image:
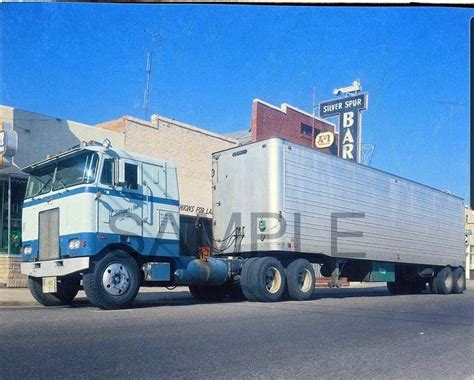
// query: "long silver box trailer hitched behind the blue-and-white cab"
[[276, 198]]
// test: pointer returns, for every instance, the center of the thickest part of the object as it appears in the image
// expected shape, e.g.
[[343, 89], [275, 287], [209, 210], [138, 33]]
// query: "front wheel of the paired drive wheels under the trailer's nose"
[[267, 279]]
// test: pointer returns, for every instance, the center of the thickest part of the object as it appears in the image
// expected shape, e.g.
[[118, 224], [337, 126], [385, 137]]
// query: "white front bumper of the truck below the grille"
[[55, 267]]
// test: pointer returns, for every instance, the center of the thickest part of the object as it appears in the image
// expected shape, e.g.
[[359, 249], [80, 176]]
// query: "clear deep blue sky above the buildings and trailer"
[[86, 62]]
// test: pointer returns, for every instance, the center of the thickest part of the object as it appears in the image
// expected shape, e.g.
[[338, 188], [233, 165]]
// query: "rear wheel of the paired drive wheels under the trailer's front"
[[300, 280]]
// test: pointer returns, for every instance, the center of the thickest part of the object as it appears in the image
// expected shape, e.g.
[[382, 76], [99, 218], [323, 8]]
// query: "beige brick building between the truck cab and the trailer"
[[188, 147]]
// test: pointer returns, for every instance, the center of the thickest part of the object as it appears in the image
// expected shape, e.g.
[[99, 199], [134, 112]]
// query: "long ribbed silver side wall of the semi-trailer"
[[387, 217]]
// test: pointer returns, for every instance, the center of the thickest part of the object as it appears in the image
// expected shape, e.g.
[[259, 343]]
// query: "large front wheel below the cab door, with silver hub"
[[113, 282]]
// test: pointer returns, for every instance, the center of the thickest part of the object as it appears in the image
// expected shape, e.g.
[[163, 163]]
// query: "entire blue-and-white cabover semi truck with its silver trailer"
[[107, 221]]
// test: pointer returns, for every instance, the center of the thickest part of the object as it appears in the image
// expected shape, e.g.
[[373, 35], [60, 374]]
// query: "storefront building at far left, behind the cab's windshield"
[[38, 136]]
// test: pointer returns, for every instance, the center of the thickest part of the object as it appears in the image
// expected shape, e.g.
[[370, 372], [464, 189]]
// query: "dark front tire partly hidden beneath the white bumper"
[[68, 287]]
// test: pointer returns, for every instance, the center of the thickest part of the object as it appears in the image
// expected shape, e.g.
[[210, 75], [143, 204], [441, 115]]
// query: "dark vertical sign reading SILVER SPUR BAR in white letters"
[[349, 111]]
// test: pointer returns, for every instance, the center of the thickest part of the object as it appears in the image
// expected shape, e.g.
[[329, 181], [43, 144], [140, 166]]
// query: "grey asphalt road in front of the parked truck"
[[341, 334]]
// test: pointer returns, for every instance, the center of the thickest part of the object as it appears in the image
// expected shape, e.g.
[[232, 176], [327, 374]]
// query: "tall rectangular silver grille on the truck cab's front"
[[49, 234]]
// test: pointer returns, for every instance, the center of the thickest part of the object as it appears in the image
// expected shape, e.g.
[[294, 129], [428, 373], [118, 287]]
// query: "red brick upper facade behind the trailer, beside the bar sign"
[[269, 121]]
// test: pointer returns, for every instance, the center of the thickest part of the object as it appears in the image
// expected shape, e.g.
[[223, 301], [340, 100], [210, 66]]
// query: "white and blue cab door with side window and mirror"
[[120, 206]]
